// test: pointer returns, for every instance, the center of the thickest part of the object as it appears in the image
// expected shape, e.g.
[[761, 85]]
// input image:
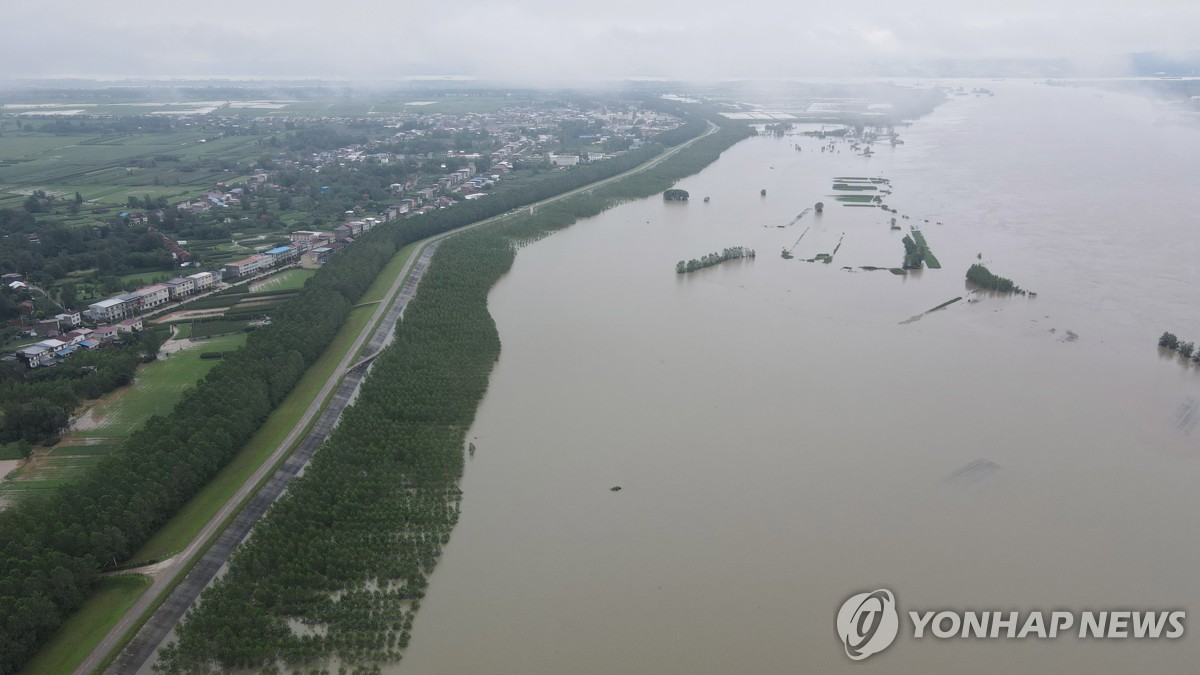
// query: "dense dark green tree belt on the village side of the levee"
[[53, 548]]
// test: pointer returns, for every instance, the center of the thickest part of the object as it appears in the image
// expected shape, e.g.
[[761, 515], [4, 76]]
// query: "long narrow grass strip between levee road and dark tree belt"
[[191, 519]]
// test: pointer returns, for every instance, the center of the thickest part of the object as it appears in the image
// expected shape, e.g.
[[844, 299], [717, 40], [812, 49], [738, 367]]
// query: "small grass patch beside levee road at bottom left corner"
[[85, 630]]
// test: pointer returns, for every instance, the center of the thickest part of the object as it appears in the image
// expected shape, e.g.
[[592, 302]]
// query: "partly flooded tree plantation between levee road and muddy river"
[[349, 549]]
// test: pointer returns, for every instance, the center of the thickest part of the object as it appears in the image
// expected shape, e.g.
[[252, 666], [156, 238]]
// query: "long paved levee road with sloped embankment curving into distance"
[[159, 628]]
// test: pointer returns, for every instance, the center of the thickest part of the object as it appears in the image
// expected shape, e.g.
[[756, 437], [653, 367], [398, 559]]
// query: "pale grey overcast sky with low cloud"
[[532, 41]]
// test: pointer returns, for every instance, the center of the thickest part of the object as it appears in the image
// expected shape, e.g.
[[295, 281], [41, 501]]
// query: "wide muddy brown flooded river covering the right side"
[[783, 439]]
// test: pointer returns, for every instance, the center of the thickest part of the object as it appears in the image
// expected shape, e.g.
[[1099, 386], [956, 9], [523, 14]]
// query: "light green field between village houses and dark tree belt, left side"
[[157, 390]]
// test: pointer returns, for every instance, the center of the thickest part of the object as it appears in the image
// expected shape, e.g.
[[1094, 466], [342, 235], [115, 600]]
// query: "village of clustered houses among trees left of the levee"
[[519, 138]]
